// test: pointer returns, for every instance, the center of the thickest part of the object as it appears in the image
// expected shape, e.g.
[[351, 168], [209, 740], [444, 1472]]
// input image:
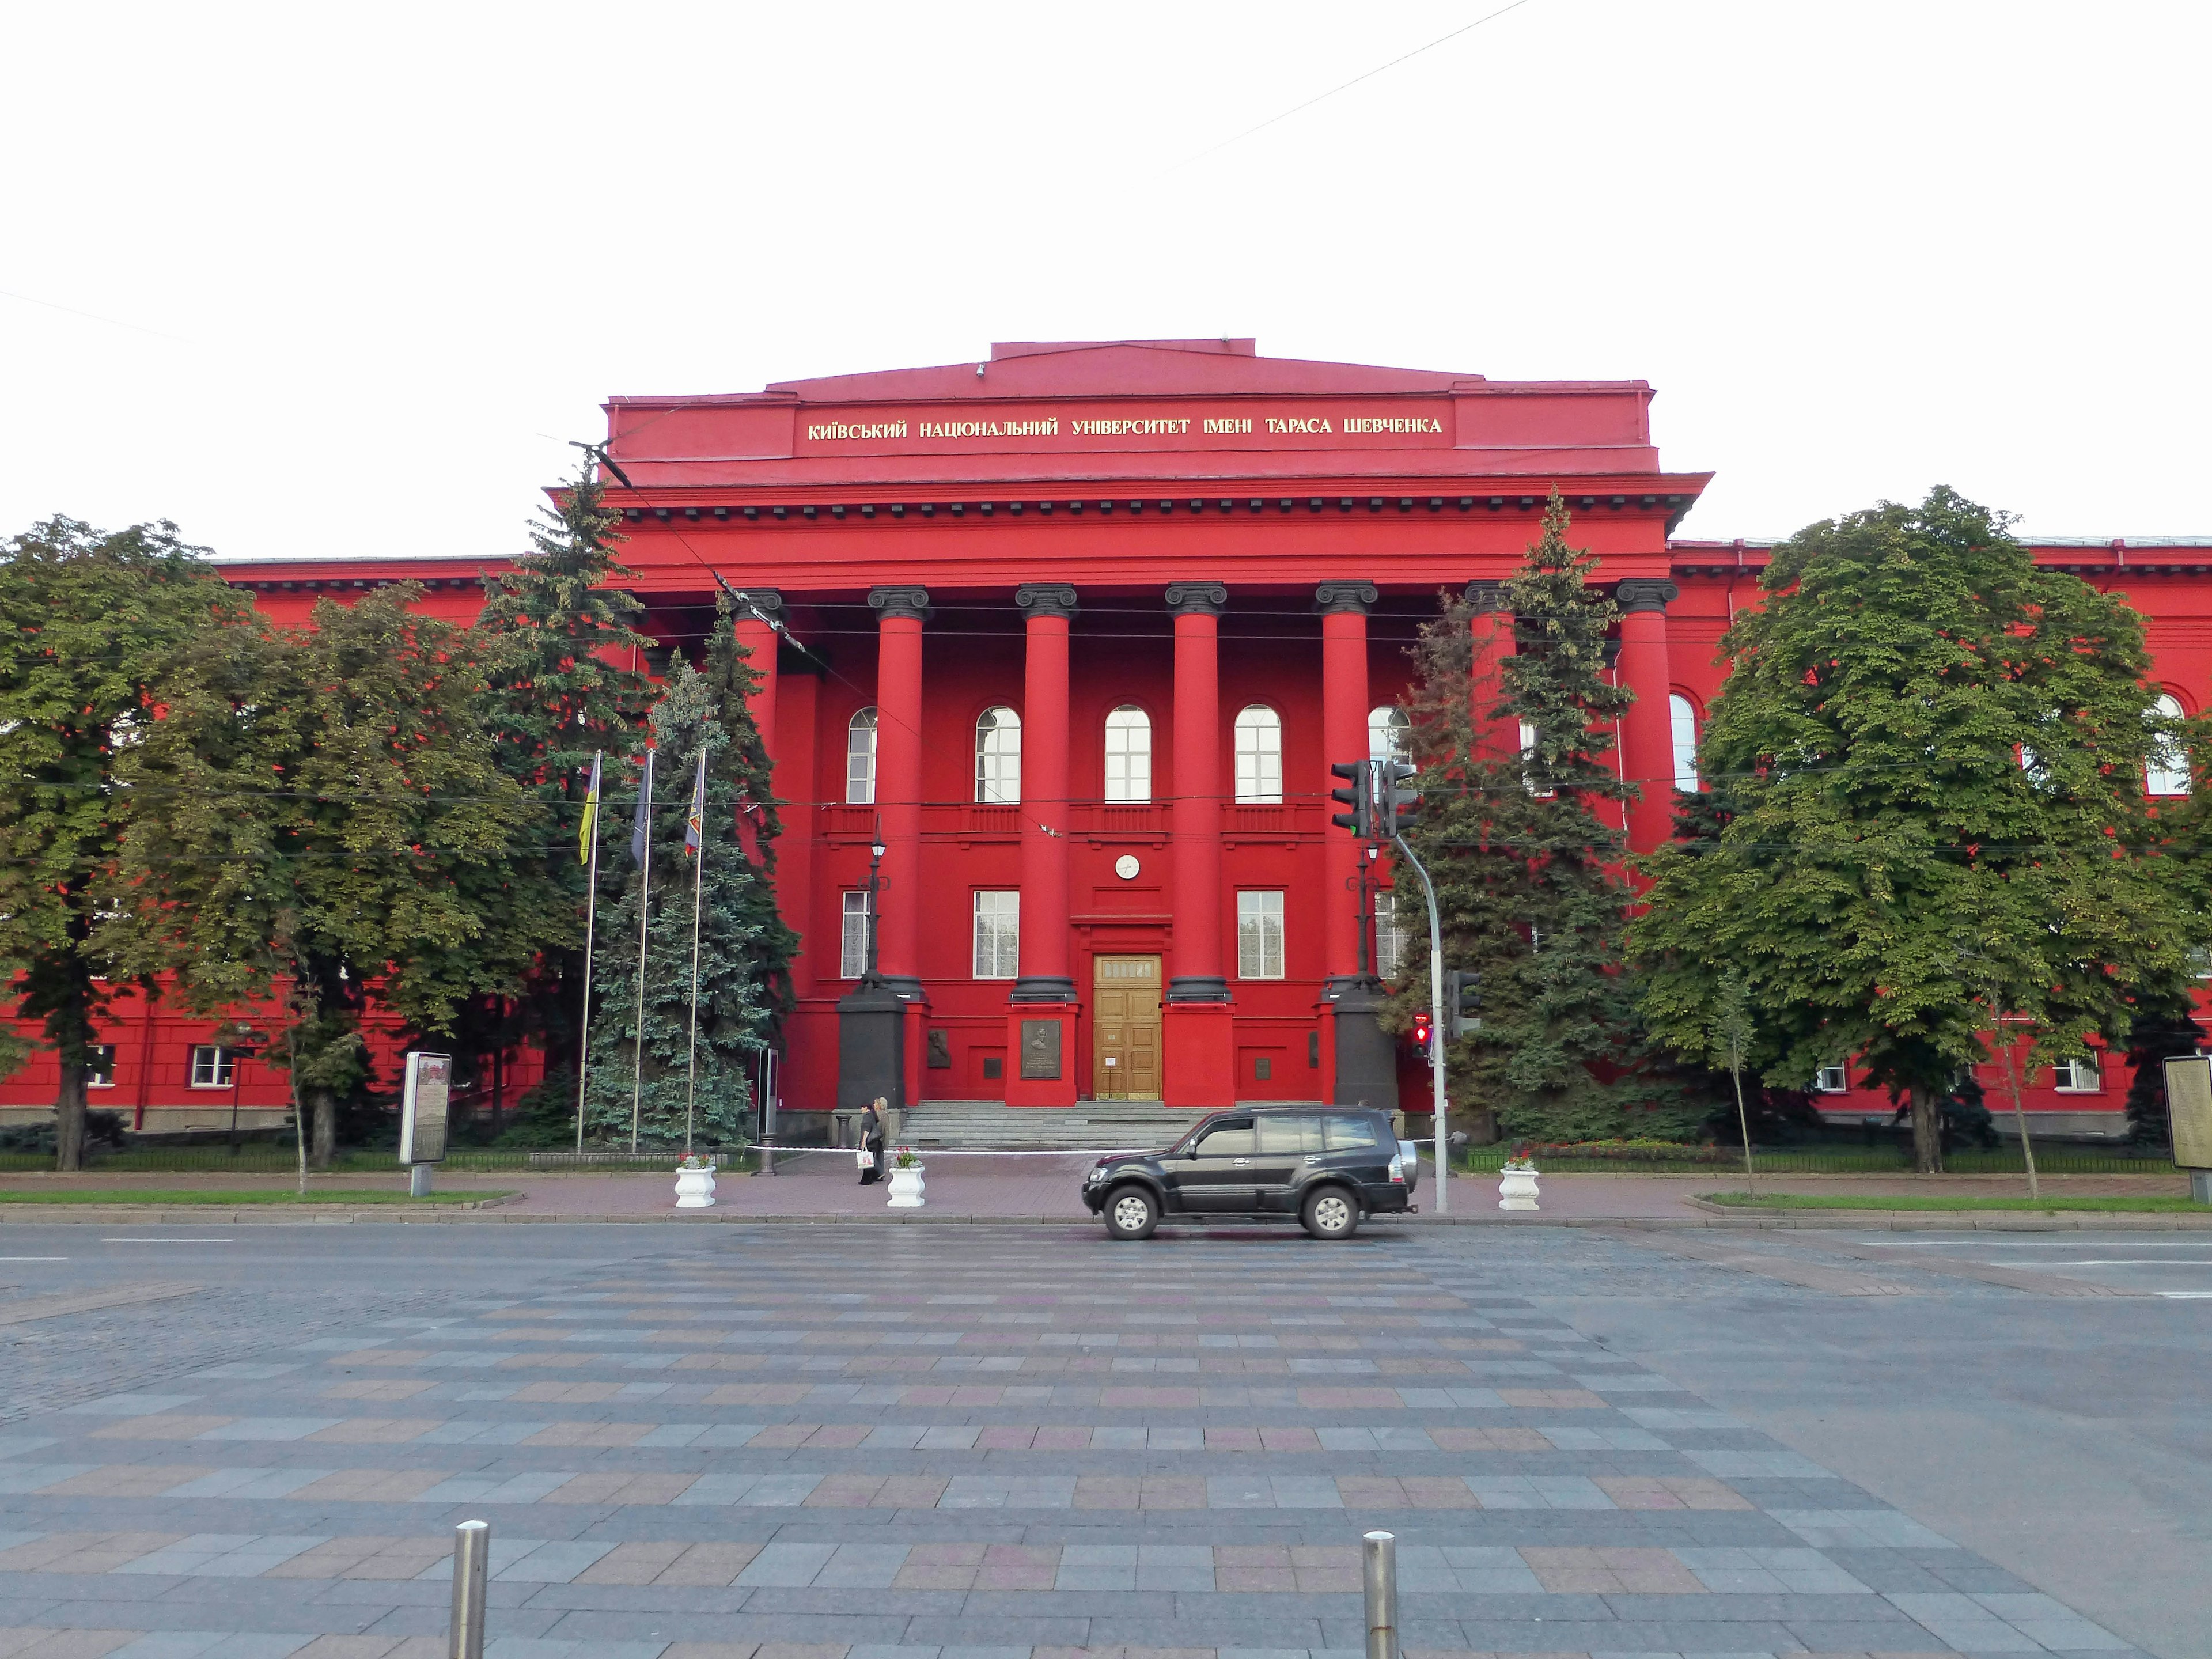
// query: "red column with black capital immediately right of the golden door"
[[1198, 793]]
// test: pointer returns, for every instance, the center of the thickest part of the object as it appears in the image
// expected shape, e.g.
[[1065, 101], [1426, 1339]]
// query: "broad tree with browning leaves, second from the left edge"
[[333, 831]]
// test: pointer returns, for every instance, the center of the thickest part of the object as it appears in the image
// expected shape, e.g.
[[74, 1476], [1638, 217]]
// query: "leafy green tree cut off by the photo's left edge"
[[90, 623]]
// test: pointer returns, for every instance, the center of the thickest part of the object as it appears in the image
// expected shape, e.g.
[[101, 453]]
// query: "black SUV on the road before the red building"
[[1331, 1167]]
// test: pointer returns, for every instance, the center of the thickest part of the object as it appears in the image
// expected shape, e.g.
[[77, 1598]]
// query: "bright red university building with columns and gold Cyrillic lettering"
[[1074, 636]]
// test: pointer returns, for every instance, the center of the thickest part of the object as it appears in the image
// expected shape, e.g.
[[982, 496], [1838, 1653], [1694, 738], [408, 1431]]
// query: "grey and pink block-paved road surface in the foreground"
[[1001, 1443]]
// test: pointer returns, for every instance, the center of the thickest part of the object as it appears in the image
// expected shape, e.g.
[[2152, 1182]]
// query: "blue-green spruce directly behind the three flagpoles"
[[744, 946]]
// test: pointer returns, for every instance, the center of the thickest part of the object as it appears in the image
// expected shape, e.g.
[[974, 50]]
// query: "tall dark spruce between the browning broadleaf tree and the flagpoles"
[[563, 680]]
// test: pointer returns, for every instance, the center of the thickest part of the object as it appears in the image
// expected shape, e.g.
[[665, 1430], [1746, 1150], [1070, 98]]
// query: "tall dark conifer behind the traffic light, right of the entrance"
[[1527, 862]]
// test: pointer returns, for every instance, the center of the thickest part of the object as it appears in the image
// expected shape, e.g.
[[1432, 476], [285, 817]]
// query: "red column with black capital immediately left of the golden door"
[[1045, 795]]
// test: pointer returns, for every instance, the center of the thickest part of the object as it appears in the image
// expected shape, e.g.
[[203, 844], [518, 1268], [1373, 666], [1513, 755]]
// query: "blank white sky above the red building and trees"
[[390, 258]]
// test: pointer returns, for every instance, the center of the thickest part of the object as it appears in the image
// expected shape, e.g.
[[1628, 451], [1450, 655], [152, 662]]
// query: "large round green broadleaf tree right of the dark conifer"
[[1932, 758]]
